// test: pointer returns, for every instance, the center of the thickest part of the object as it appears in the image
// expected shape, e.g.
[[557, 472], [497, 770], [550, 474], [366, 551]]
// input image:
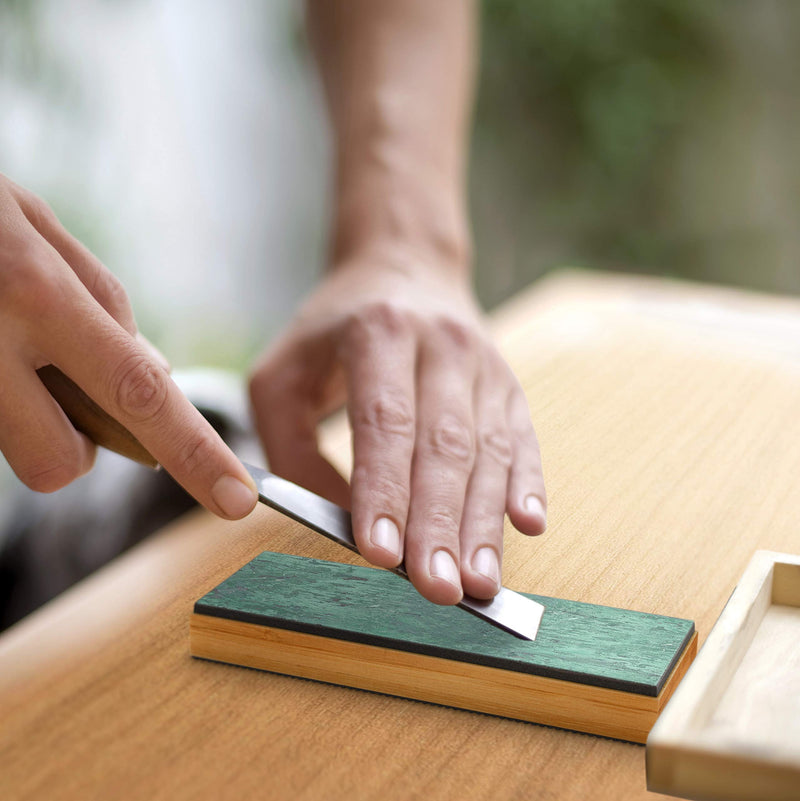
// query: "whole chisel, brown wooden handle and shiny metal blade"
[[508, 610]]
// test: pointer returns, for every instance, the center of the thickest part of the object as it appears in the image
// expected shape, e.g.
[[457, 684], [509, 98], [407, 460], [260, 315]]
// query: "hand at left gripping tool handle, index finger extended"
[[59, 305]]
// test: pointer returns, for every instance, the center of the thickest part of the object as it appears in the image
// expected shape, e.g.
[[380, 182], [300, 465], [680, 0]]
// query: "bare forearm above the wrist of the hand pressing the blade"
[[398, 78]]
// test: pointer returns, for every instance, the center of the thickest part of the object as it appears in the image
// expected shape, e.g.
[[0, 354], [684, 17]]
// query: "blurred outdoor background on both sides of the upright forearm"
[[656, 137]]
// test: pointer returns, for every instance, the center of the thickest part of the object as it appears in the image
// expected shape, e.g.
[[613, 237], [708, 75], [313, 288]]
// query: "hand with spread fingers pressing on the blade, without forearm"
[[442, 438]]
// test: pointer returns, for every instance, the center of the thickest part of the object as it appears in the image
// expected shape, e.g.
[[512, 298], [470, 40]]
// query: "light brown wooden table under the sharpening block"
[[669, 417]]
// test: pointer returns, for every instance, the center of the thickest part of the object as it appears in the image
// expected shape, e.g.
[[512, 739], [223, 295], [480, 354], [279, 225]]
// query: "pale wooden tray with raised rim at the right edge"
[[732, 730]]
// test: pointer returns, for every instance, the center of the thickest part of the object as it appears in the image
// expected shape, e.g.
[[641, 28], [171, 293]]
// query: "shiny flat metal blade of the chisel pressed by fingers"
[[508, 610]]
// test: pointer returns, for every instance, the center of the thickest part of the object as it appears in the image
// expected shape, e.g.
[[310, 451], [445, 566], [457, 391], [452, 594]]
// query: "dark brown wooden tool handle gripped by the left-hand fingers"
[[90, 419]]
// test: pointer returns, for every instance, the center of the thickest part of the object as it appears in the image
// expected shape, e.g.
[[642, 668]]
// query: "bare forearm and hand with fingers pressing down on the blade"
[[442, 438]]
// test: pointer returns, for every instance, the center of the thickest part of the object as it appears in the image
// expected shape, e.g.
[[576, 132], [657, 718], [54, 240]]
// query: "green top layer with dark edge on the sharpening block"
[[598, 645]]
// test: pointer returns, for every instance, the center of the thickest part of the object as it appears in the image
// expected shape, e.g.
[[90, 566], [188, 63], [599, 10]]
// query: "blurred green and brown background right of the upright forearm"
[[657, 137]]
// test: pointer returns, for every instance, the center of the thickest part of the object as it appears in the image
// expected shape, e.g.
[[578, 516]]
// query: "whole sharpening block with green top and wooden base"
[[592, 668]]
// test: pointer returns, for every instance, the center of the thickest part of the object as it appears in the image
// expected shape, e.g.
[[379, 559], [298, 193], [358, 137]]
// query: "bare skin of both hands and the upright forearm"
[[442, 438]]
